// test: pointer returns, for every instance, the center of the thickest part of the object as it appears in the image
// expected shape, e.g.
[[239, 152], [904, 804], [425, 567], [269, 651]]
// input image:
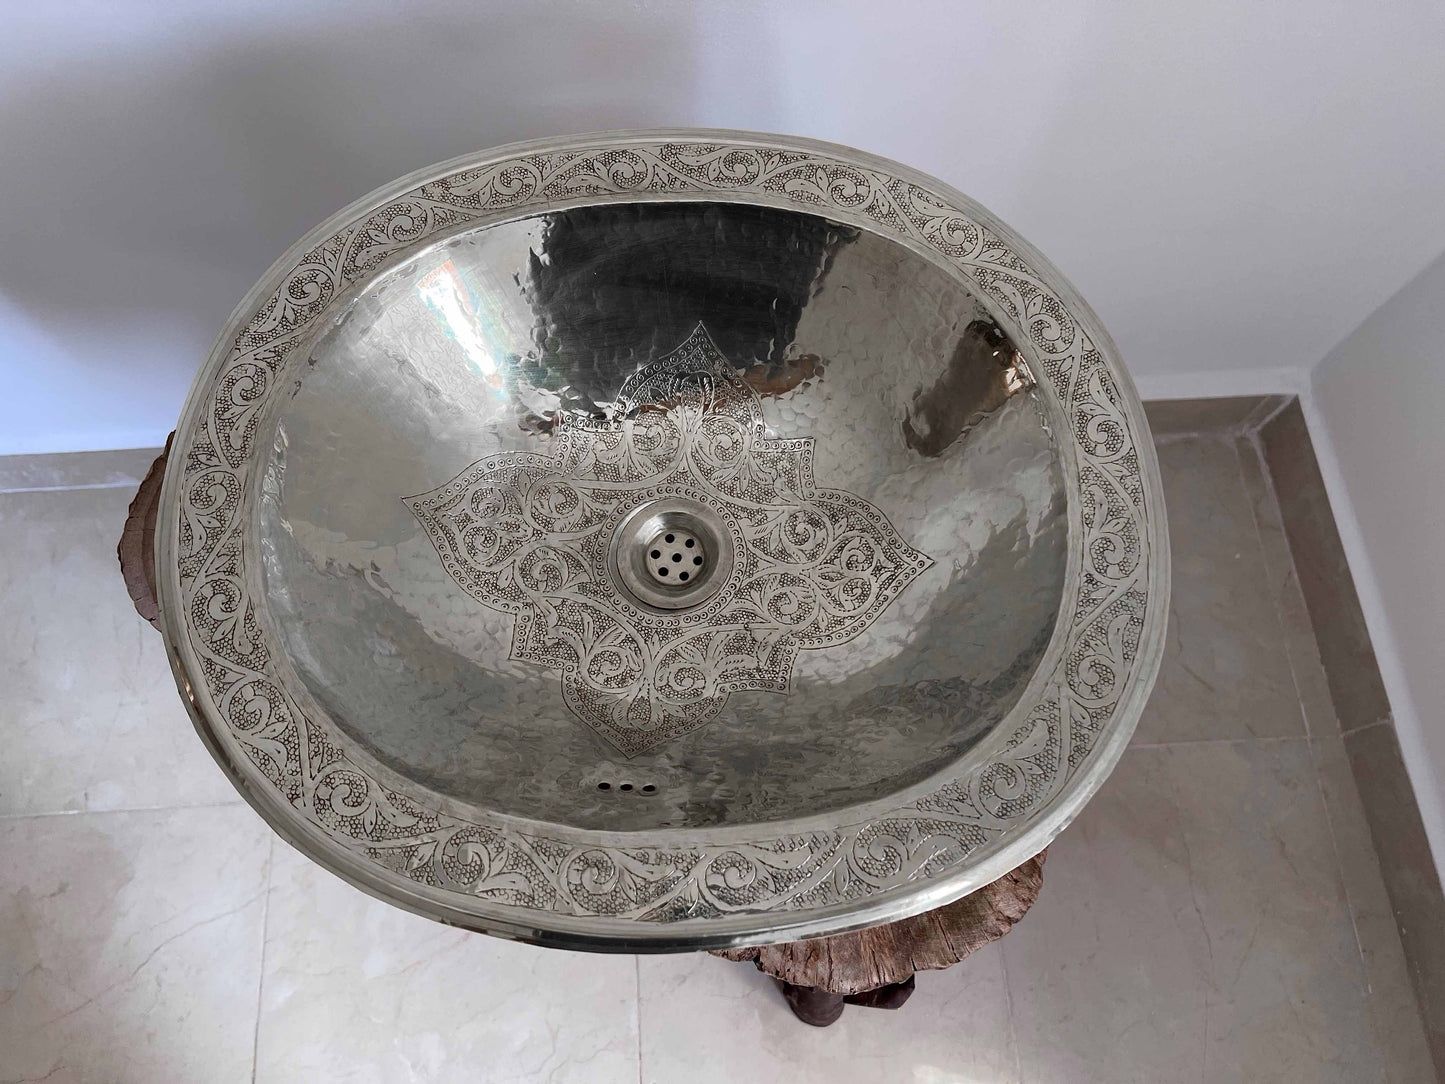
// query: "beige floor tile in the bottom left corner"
[[131, 946]]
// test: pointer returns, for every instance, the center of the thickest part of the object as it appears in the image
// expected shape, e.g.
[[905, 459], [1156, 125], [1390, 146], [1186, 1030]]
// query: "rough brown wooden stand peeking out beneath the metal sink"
[[871, 968]]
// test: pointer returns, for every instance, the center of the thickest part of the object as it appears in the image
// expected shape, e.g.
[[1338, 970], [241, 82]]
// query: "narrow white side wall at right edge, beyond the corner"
[[1379, 420]]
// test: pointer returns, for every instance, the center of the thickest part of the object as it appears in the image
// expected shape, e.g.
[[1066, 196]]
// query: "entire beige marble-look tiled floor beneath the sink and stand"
[[1215, 914]]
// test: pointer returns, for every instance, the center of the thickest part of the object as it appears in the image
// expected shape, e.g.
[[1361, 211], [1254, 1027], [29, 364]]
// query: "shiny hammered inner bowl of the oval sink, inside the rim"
[[885, 473]]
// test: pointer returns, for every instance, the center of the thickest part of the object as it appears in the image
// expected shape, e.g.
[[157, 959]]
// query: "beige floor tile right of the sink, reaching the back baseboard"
[[1226, 673]]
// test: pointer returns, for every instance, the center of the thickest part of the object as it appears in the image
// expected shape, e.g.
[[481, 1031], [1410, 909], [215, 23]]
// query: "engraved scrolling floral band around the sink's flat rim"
[[482, 865]]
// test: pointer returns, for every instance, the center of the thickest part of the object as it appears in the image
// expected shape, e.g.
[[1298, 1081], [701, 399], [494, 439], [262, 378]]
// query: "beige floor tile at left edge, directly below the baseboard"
[[90, 715]]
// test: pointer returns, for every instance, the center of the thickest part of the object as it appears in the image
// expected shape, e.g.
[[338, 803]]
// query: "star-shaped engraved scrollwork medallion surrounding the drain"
[[528, 534]]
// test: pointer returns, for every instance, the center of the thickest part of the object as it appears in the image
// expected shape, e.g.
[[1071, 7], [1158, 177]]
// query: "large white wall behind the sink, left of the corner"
[[1233, 186]]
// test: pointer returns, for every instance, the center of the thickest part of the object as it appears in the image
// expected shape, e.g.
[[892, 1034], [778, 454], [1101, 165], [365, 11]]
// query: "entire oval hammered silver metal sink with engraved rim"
[[664, 541]]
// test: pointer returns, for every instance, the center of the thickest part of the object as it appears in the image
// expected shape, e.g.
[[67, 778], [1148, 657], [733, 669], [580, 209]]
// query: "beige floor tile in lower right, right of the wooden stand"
[[1194, 927]]
